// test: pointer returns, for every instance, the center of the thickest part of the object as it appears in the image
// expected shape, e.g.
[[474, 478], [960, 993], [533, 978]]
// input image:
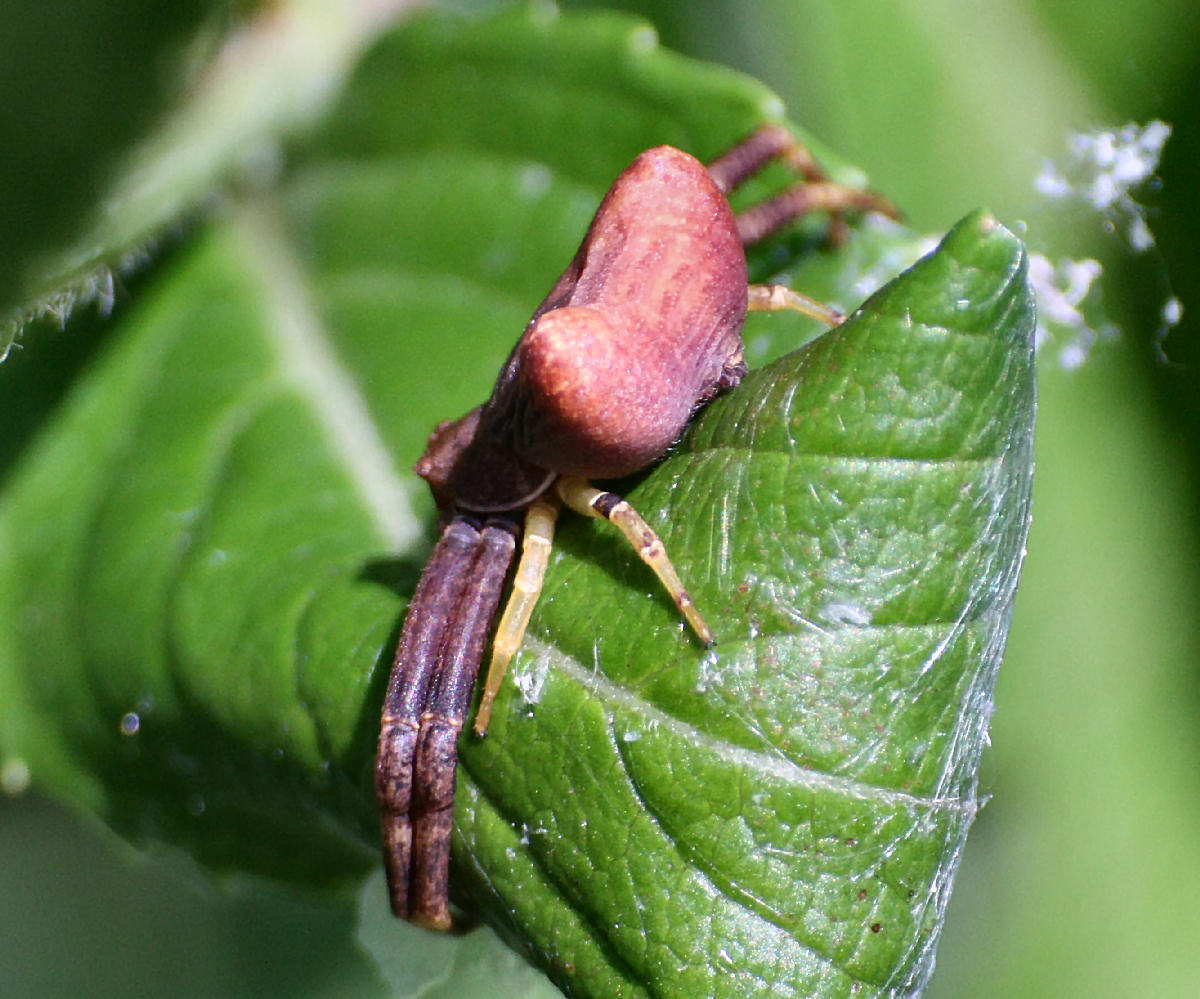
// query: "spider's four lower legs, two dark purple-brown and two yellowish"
[[437, 661]]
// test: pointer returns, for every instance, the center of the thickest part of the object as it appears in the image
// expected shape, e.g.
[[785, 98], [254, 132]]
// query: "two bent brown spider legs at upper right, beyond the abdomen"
[[775, 142]]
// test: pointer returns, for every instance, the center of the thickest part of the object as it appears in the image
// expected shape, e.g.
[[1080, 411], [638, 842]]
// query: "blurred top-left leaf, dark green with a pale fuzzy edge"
[[274, 76]]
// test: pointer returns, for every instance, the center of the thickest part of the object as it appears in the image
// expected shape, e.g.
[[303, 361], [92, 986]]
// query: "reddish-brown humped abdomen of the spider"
[[644, 327]]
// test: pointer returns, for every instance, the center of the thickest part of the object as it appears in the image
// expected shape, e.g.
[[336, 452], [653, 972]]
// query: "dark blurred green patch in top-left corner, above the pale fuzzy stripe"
[[80, 87]]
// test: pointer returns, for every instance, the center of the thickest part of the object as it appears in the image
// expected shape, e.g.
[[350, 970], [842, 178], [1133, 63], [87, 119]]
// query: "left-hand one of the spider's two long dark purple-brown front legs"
[[418, 661]]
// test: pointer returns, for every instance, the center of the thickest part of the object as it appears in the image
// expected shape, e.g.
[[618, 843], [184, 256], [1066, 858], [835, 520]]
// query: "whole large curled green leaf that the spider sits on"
[[205, 554]]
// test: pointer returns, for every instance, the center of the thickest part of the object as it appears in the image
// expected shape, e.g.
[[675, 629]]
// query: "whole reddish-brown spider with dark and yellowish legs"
[[641, 331]]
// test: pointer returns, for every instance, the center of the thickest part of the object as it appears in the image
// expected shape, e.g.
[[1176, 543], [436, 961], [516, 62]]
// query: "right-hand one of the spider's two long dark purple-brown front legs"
[[437, 746]]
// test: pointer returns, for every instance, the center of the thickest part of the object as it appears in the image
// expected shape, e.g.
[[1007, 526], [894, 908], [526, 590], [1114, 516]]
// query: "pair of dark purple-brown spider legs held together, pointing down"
[[429, 696]]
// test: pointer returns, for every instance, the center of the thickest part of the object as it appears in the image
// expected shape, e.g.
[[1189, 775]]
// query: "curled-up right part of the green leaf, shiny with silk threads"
[[851, 518]]
